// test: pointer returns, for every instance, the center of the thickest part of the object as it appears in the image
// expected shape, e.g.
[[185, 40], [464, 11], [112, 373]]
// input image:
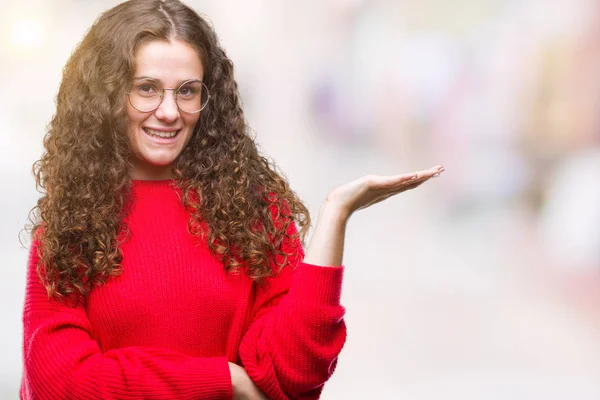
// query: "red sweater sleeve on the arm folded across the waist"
[[62, 361]]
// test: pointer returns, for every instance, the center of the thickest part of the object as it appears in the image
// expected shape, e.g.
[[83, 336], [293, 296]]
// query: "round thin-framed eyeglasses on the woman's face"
[[146, 95]]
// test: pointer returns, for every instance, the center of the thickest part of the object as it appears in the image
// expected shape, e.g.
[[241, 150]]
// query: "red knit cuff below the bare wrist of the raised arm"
[[316, 284]]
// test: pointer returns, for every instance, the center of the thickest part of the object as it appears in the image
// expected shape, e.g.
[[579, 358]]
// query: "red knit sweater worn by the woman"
[[168, 325]]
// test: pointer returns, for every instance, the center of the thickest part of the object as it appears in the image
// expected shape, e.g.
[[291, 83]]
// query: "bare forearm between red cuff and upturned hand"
[[326, 246]]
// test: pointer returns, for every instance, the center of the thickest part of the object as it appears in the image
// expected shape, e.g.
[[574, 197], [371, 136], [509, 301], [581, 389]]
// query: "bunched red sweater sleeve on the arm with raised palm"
[[297, 331]]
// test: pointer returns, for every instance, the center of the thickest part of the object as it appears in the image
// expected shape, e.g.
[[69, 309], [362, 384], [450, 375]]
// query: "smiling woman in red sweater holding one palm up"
[[165, 261]]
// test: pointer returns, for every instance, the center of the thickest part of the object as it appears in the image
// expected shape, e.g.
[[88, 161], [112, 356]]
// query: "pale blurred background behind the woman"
[[481, 284]]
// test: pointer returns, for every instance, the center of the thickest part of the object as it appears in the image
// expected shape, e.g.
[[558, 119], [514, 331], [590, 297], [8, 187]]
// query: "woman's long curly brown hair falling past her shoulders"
[[84, 174]]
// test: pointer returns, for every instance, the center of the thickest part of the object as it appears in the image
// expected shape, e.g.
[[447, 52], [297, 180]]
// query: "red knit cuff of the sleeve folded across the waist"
[[211, 378]]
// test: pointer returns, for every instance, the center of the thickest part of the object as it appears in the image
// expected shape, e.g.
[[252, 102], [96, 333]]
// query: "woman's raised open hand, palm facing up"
[[371, 189]]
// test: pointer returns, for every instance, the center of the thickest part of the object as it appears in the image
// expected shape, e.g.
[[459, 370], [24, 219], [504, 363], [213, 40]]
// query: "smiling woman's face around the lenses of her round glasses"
[[168, 64]]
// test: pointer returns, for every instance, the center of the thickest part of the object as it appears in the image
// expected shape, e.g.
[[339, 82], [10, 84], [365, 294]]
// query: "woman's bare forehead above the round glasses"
[[168, 61]]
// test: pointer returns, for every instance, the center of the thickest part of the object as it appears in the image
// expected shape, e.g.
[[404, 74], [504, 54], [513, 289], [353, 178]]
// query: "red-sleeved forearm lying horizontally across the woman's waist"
[[132, 372]]
